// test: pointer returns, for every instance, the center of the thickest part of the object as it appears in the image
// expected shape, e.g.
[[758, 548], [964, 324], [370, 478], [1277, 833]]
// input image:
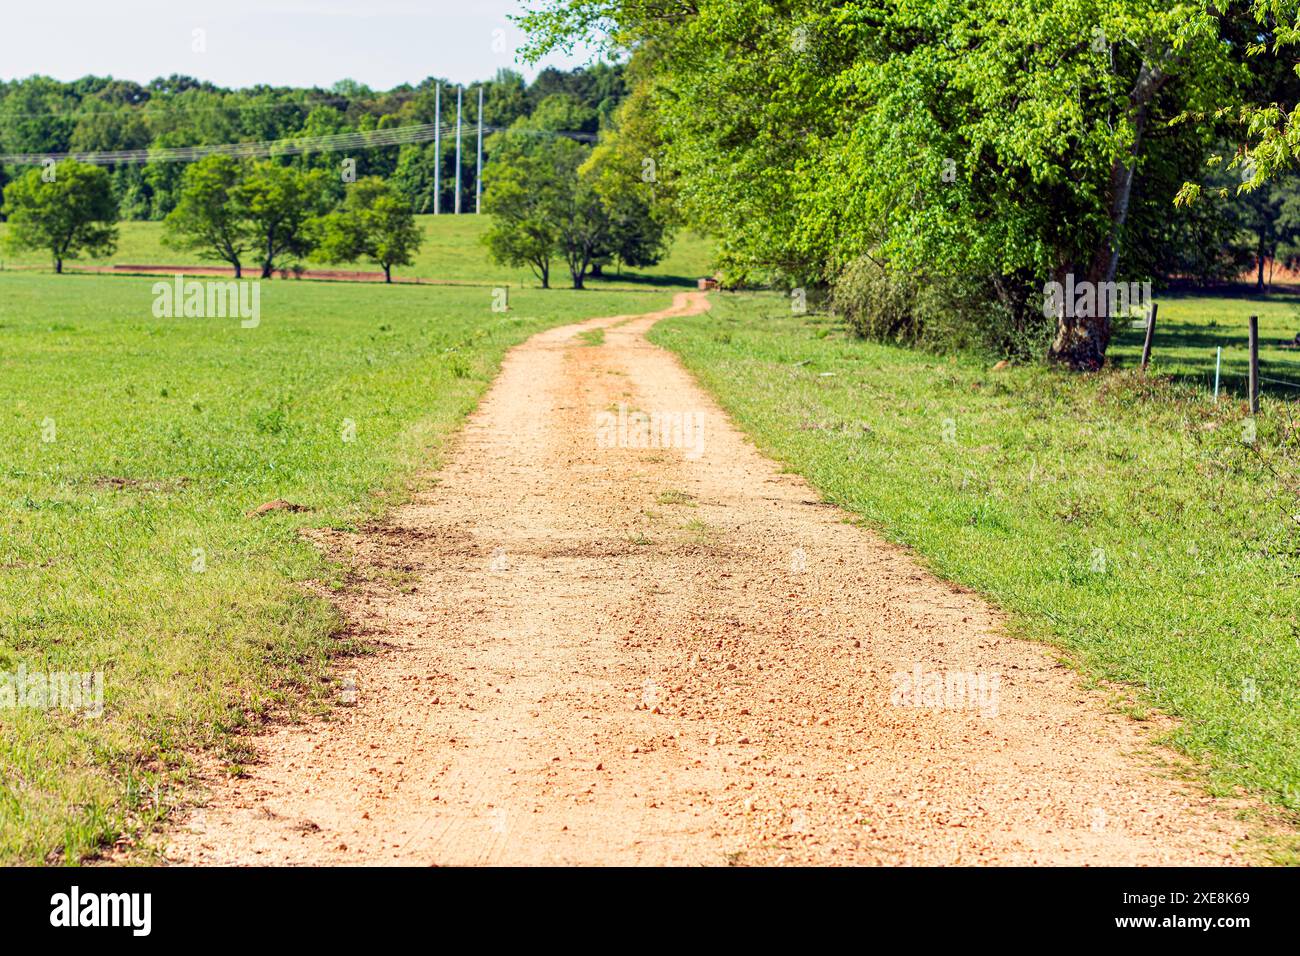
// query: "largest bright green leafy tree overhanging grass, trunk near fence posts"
[[994, 141]]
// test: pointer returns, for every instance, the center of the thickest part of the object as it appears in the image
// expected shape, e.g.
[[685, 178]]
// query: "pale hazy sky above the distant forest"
[[382, 44]]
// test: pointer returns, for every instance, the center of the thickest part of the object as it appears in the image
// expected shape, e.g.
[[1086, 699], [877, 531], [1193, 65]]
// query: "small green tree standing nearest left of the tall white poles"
[[375, 223]]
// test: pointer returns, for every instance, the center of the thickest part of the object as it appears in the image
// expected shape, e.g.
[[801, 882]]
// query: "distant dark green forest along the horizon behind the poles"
[[41, 115]]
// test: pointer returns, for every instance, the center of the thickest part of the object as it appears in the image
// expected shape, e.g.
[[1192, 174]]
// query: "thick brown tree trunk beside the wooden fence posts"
[[1081, 341]]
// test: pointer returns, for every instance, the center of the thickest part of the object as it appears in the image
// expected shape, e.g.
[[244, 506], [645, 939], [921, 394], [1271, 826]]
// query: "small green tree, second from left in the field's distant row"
[[207, 219]]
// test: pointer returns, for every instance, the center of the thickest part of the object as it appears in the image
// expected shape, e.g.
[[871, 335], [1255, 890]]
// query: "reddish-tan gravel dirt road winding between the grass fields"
[[599, 654]]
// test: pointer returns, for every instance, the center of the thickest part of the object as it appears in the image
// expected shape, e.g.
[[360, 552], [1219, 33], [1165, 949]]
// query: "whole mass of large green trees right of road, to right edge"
[[933, 166]]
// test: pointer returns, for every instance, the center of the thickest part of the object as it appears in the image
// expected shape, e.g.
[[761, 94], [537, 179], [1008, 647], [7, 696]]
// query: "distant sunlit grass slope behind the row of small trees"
[[453, 252]]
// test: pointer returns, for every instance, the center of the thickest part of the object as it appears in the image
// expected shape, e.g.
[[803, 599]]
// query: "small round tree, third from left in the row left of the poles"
[[280, 202]]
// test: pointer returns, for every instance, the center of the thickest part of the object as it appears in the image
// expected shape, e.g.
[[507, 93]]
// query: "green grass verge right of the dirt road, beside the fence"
[[1125, 521]]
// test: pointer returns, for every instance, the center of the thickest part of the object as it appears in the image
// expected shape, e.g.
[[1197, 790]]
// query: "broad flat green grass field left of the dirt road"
[[164, 434]]
